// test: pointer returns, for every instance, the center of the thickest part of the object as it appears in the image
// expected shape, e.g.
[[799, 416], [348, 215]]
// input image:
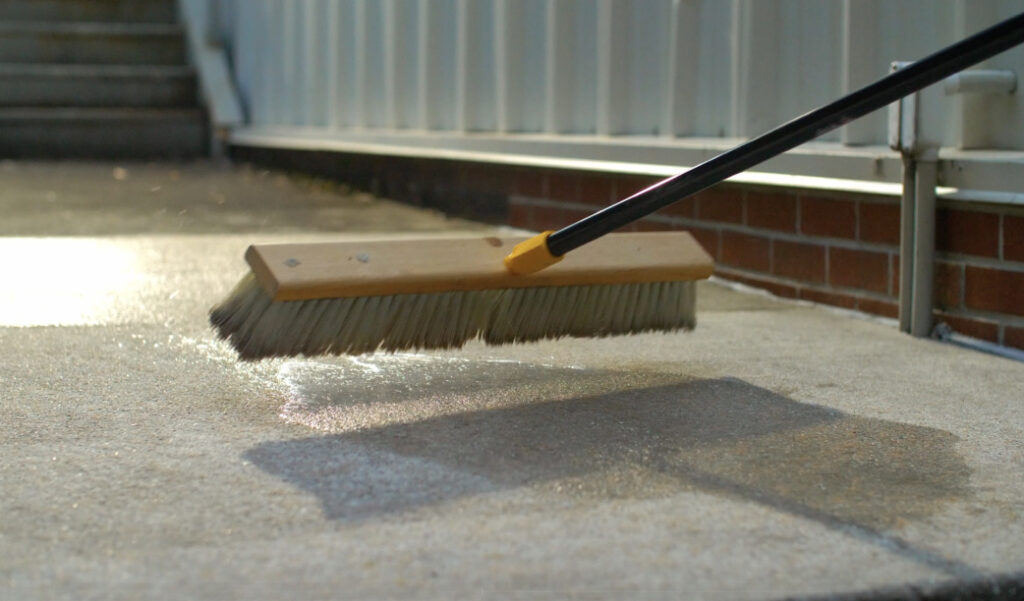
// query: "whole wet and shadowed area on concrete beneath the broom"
[[415, 432]]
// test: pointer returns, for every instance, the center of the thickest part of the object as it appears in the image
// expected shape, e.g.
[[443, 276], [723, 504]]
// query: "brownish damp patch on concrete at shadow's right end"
[[870, 473]]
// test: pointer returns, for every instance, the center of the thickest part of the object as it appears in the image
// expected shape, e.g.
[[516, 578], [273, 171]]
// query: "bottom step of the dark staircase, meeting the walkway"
[[103, 134]]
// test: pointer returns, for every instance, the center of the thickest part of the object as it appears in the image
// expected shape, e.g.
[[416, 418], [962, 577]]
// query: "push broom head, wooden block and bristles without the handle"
[[358, 297]]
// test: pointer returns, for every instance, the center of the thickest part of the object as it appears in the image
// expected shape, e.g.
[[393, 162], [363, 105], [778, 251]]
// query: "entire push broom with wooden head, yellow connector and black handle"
[[357, 297]]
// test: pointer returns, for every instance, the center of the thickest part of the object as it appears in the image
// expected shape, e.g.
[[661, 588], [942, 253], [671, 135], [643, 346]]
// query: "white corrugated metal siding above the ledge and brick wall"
[[662, 73]]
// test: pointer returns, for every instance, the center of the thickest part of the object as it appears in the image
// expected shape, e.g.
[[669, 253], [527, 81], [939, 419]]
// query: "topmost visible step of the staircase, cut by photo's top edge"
[[93, 11]]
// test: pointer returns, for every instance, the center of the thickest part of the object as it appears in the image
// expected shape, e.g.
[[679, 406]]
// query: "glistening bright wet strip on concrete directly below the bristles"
[[346, 395]]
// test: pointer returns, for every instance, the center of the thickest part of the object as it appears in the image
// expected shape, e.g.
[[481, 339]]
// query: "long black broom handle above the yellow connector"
[[789, 136]]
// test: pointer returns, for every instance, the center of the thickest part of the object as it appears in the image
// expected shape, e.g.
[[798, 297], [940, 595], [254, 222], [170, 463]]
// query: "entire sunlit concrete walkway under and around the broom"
[[778, 451]]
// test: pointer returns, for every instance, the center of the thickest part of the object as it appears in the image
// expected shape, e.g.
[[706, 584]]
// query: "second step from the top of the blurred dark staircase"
[[92, 44]]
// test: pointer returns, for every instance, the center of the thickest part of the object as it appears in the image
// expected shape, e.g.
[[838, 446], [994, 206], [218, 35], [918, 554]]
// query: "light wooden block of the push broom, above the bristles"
[[303, 272]]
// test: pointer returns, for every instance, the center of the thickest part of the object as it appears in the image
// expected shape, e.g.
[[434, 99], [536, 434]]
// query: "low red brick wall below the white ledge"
[[833, 248]]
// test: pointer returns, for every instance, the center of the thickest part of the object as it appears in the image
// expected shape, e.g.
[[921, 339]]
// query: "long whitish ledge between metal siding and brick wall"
[[984, 177]]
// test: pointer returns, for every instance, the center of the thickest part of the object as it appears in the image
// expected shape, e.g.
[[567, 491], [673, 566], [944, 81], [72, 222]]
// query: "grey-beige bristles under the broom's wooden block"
[[260, 328]]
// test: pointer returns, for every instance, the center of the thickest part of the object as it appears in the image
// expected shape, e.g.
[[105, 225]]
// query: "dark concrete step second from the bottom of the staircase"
[[97, 85]]
